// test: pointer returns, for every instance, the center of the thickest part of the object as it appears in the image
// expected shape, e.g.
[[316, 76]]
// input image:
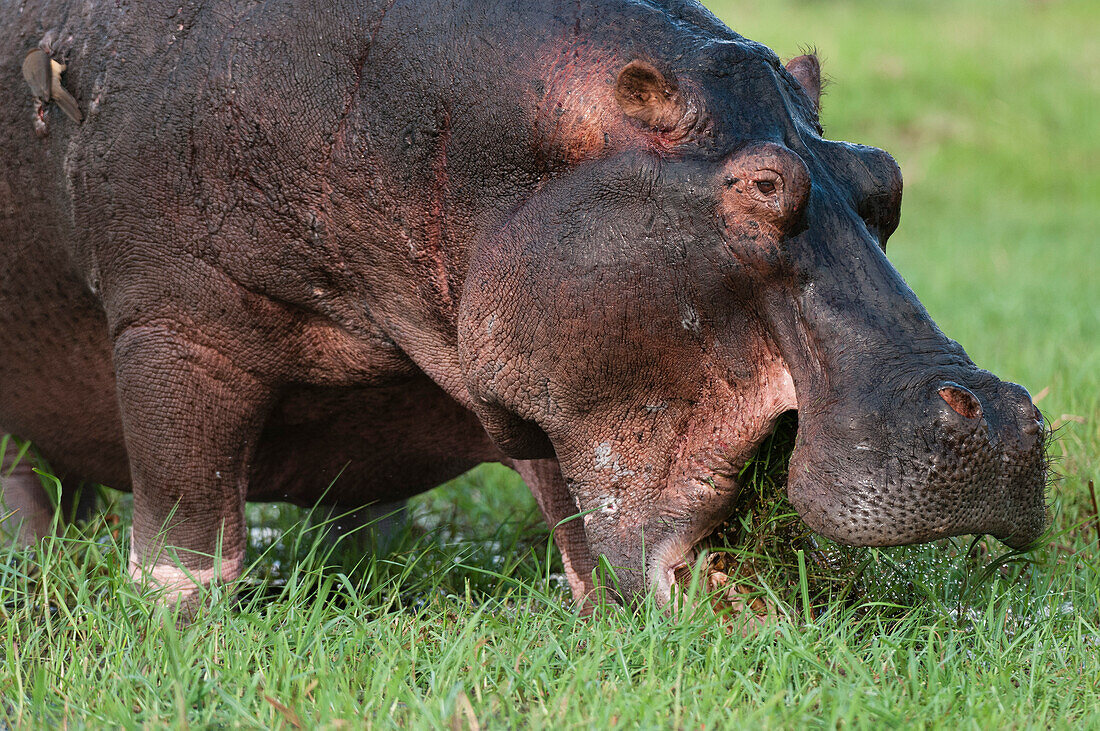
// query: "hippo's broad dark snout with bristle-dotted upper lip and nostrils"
[[960, 456]]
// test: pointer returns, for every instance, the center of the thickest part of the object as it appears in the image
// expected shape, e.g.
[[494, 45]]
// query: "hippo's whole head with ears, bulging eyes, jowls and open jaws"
[[709, 263]]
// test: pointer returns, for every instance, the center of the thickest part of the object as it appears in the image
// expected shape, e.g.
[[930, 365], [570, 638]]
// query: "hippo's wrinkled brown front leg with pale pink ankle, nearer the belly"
[[192, 417]]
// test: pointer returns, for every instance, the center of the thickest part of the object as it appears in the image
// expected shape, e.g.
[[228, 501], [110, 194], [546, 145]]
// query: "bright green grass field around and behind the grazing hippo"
[[992, 108]]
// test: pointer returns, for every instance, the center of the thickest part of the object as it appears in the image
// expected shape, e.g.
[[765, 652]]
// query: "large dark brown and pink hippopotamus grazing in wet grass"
[[345, 251]]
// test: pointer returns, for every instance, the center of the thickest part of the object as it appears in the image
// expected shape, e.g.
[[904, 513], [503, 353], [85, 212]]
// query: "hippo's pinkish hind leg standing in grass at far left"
[[27, 508]]
